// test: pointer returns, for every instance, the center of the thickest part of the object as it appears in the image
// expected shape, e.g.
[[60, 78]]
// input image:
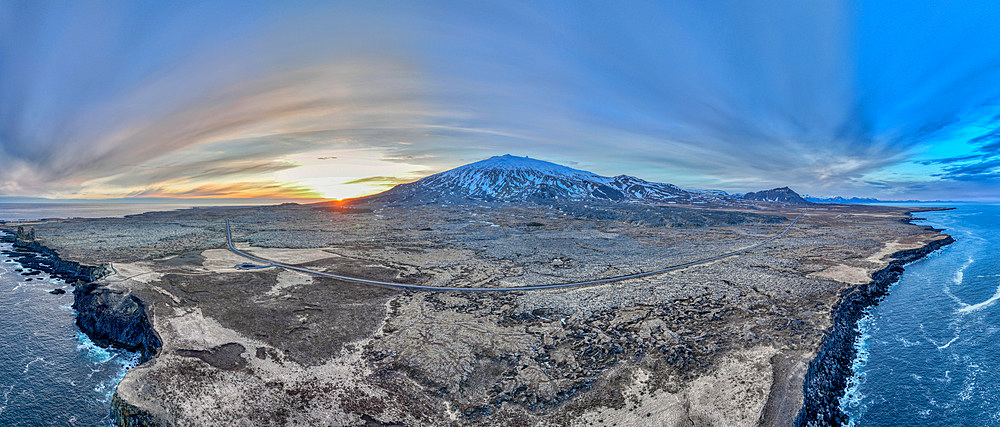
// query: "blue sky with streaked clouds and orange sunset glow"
[[299, 99]]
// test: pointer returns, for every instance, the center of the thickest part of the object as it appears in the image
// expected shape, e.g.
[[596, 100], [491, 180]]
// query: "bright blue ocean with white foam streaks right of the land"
[[929, 354]]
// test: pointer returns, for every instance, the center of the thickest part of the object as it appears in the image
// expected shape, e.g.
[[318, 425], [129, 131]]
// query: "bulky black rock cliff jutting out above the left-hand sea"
[[114, 317]]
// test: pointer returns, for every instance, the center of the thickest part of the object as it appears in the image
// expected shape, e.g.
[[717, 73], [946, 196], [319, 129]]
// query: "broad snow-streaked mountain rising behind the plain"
[[510, 178]]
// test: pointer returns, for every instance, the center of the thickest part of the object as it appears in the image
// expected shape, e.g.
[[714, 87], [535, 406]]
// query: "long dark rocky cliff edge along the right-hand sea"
[[829, 371]]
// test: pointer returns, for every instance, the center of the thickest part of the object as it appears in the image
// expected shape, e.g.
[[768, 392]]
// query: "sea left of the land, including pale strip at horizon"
[[50, 372]]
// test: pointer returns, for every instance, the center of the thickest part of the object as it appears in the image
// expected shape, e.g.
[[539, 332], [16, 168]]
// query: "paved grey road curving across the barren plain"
[[229, 241]]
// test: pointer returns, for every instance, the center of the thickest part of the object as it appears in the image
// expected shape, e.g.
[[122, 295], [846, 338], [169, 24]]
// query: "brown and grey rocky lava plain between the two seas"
[[725, 343]]
